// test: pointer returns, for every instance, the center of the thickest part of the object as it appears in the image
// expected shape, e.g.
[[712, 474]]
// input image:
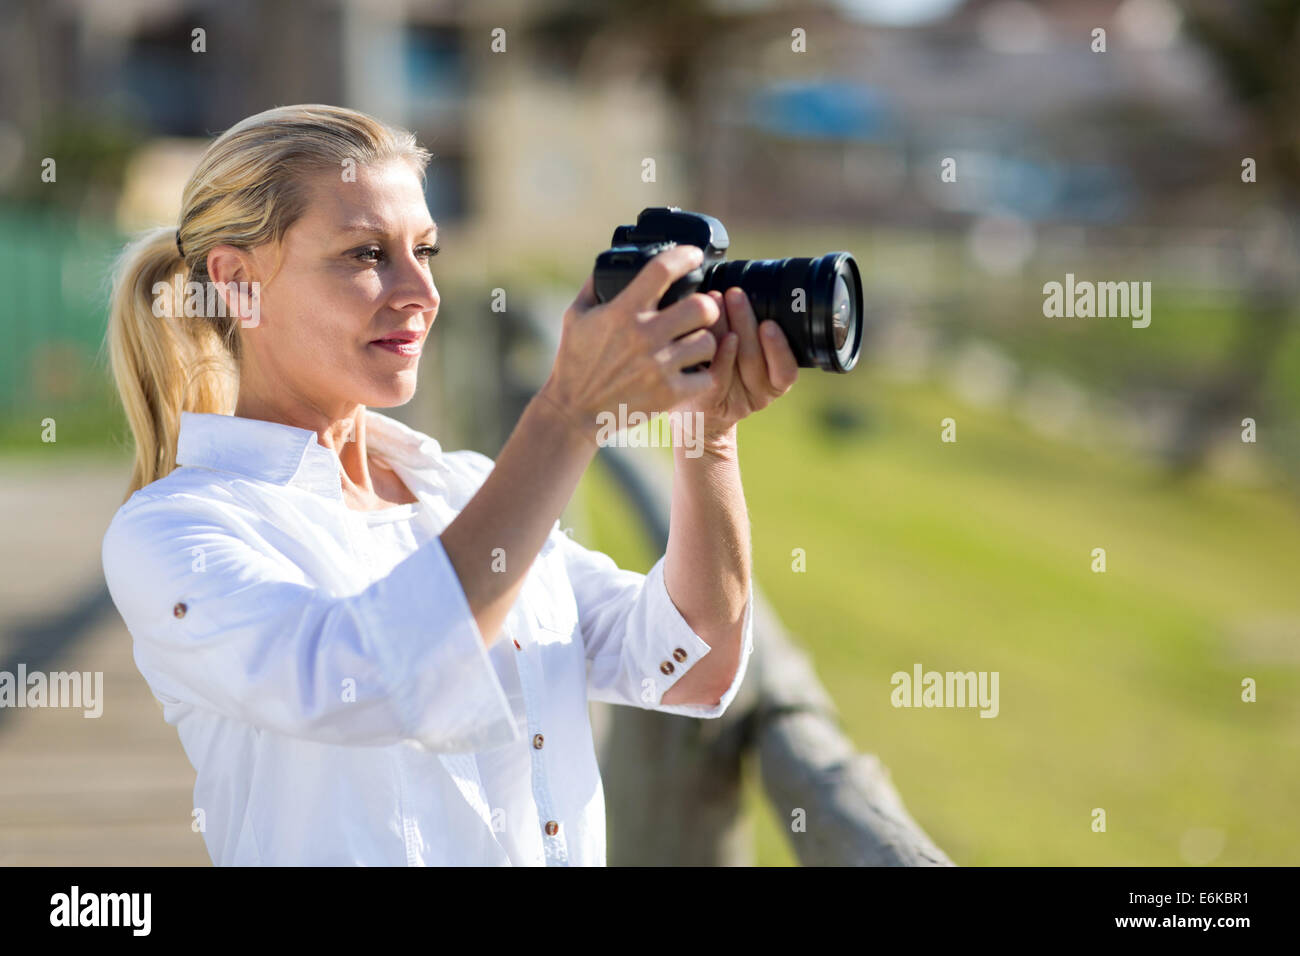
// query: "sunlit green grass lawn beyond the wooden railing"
[[1119, 691]]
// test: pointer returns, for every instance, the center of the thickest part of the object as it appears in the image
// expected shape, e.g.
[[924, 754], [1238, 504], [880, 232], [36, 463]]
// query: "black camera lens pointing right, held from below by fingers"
[[817, 302]]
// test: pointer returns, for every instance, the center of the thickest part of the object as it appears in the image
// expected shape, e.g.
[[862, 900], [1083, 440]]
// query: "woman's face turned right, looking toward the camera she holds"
[[352, 272]]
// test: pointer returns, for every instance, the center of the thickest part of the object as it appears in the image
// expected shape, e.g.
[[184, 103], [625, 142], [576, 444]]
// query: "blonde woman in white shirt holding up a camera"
[[376, 652]]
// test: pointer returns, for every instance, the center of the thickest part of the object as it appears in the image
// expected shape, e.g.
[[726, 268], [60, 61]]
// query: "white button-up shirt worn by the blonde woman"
[[330, 682]]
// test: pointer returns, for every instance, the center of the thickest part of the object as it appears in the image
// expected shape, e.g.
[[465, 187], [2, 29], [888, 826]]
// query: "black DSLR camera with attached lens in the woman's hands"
[[817, 302]]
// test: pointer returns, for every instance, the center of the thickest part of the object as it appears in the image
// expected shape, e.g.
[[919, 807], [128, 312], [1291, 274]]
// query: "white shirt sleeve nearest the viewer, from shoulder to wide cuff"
[[248, 635]]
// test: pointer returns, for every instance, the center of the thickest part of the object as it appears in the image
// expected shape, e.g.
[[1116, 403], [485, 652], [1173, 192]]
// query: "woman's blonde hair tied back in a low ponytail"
[[248, 191]]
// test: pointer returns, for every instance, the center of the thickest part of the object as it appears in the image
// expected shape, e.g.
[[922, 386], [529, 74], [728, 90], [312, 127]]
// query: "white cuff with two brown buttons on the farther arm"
[[678, 648]]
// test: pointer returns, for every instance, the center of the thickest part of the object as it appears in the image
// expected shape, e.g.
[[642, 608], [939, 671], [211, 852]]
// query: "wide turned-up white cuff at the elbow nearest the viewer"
[[439, 669]]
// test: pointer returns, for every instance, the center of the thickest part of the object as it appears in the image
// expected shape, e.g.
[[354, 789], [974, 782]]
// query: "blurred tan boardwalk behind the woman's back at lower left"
[[114, 790]]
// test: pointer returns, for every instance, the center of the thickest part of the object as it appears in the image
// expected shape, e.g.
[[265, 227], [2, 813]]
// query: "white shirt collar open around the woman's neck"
[[289, 456]]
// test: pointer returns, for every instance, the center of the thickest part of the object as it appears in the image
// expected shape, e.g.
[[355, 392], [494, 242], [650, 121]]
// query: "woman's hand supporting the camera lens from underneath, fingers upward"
[[752, 367]]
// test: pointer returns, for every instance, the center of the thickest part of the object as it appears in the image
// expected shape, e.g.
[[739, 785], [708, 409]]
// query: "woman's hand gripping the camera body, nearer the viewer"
[[626, 352]]
